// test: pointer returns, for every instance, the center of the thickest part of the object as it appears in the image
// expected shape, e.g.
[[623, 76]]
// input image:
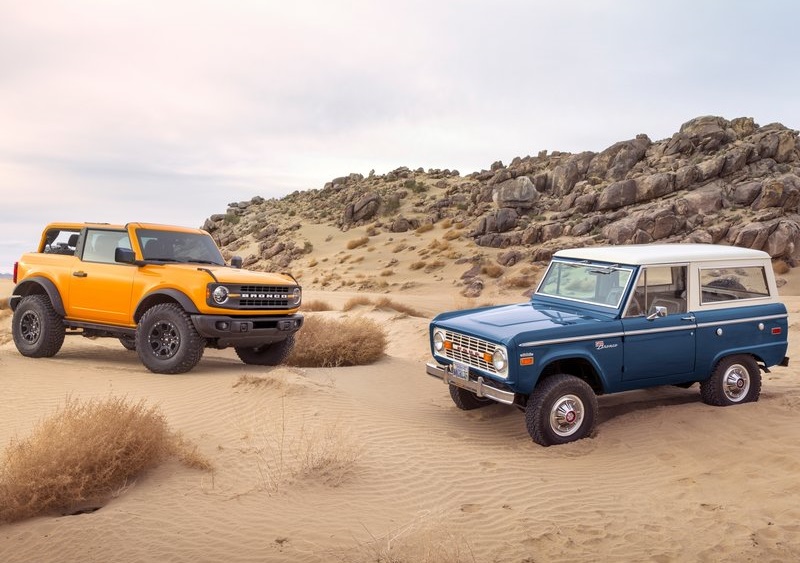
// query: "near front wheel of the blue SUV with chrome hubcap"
[[561, 409]]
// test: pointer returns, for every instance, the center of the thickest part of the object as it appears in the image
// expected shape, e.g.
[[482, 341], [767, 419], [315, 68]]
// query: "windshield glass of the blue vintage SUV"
[[598, 284]]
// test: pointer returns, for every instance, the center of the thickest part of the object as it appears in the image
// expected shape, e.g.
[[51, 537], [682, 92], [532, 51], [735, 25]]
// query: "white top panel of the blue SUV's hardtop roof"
[[644, 254]]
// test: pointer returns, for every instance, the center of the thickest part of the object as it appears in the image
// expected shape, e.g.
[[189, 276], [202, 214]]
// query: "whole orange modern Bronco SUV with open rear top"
[[163, 291]]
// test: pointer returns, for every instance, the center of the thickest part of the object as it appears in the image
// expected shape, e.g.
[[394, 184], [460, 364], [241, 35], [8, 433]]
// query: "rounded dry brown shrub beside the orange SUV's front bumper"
[[354, 341]]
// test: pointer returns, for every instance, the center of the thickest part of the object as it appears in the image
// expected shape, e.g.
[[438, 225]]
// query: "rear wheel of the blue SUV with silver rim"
[[736, 380]]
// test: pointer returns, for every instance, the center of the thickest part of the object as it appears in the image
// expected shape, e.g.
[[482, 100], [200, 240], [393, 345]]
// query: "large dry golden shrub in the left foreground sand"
[[85, 454]]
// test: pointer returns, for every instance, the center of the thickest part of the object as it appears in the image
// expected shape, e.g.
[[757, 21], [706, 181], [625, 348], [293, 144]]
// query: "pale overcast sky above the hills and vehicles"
[[166, 111]]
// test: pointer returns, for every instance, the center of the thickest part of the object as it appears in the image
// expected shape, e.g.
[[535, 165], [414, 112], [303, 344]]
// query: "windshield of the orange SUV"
[[172, 246]]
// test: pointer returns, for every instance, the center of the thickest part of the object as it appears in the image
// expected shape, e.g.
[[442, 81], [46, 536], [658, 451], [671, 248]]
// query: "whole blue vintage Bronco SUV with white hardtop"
[[612, 319]]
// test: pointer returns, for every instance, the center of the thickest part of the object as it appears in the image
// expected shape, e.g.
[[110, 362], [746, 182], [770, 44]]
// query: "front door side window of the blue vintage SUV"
[[659, 286]]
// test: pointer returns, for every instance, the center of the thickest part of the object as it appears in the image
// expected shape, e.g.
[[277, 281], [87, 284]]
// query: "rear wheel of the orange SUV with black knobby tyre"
[[37, 329]]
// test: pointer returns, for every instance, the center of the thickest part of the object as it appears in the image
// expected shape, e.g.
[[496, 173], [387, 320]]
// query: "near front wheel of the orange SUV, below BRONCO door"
[[167, 341]]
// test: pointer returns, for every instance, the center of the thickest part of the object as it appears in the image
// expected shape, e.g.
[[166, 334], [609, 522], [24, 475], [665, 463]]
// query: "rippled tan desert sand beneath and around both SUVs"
[[665, 478]]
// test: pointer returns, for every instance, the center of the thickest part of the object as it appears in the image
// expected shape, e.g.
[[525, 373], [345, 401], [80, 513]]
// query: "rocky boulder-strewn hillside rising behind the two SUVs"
[[715, 181]]
